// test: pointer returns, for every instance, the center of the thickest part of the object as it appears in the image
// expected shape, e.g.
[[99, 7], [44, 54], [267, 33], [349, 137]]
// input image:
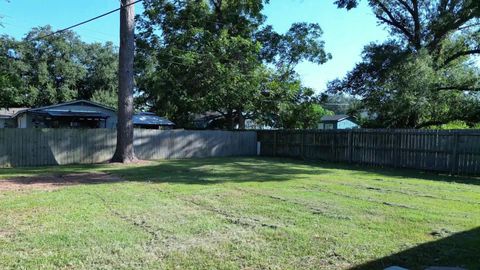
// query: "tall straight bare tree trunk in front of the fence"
[[124, 152]]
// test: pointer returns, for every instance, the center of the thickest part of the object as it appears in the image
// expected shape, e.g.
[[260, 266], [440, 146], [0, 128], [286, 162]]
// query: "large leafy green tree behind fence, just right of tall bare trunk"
[[214, 55]]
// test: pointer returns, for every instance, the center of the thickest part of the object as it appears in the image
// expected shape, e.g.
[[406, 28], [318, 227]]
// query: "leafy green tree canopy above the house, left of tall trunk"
[[44, 69]]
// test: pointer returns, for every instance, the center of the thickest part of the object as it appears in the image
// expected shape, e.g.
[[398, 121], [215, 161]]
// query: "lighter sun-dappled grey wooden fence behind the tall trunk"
[[37, 147]]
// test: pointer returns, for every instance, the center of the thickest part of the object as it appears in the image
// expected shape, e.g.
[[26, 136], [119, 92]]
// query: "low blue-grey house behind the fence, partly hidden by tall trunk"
[[75, 114]]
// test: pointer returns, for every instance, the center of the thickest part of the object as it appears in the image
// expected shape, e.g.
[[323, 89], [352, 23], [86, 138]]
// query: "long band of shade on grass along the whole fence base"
[[233, 169]]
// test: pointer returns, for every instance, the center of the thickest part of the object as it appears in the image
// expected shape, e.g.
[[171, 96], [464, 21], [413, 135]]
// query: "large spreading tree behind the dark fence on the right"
[[421, 75]]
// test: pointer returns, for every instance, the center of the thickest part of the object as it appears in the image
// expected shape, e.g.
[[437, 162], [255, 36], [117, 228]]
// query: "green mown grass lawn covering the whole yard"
[[242, 213]]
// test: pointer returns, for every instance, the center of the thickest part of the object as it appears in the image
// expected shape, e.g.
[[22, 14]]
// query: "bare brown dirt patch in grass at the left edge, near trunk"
[[52, 182]]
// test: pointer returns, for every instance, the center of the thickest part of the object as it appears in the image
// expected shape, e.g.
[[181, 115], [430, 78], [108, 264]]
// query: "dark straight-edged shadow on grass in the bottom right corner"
[[457, 250]]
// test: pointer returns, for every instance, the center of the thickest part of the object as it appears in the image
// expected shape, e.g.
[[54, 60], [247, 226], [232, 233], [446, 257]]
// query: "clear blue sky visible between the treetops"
[[345, 32]]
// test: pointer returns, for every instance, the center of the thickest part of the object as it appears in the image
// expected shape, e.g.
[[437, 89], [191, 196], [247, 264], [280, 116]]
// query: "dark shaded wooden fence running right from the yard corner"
[[456, 152]]
